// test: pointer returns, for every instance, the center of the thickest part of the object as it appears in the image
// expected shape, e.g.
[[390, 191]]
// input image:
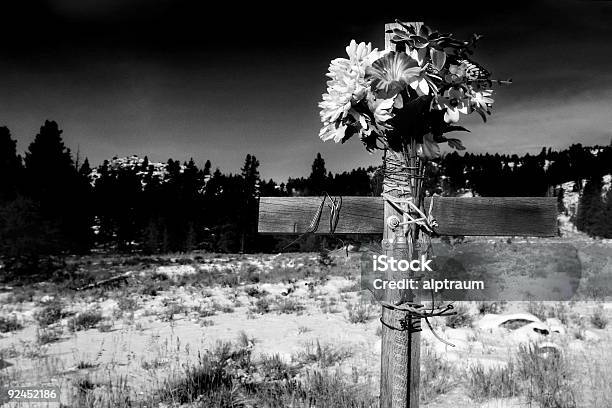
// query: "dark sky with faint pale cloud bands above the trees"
[[181, 79]]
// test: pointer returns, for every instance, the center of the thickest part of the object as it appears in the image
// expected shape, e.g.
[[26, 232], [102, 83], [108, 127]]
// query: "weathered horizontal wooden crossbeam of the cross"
[[493, 216]]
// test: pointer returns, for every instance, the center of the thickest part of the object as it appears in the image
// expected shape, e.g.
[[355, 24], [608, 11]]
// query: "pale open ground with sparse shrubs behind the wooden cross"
[[204, 330]]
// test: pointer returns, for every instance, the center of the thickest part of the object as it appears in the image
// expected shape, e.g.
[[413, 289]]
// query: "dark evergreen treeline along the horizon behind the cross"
[[53, 203]]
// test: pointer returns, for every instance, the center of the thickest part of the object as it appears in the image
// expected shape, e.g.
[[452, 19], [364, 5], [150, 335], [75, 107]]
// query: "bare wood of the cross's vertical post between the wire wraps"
[[400, 354]]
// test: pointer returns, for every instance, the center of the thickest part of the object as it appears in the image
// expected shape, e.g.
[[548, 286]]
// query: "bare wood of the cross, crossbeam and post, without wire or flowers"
[[478, 216]]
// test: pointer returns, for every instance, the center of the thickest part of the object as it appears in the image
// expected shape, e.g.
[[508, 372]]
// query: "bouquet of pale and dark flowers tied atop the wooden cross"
[[410, 97]]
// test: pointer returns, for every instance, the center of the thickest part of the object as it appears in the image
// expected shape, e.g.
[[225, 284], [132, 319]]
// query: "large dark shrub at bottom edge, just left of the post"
[[224, 377]]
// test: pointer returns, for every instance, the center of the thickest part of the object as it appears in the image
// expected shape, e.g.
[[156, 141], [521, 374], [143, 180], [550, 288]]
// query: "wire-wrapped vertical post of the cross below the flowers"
[[407, 238]]
